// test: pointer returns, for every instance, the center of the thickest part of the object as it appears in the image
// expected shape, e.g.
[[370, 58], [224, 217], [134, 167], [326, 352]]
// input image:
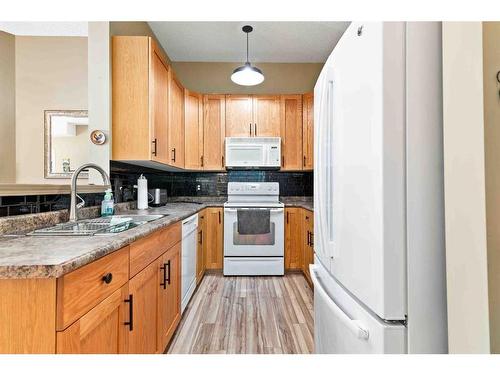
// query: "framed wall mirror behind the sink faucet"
[[66, 138]]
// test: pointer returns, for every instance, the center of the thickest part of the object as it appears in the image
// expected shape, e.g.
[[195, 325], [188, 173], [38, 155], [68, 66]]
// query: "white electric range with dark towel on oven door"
[[253, 229]]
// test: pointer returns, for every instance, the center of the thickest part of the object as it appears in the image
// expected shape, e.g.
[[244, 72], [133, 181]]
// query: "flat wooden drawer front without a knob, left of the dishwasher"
[[146, 250]]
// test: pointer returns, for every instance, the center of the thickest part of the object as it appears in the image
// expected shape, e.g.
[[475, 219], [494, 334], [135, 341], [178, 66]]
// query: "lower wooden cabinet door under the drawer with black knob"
[[100, 331]]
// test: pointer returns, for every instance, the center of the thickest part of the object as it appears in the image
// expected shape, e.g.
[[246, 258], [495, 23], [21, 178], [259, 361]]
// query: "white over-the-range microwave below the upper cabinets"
[[253, 152]]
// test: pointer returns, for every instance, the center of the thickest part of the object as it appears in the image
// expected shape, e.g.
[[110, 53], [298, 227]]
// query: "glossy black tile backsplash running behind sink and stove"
[[124, 177]]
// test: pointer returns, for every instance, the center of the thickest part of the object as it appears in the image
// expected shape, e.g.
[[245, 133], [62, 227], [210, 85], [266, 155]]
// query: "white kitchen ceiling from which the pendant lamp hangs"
[[269, 42]]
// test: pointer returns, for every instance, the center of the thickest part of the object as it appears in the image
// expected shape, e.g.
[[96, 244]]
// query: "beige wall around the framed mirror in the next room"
[[51, 74]]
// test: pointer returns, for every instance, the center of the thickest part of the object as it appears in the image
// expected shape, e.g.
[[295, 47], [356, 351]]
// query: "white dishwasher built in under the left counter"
[[188, 264]]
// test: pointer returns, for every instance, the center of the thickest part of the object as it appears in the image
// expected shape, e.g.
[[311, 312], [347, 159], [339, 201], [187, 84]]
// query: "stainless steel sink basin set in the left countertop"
[[98, 226]]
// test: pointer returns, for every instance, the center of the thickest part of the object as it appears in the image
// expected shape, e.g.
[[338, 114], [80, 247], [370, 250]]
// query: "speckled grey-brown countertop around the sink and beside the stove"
[[44, 257]]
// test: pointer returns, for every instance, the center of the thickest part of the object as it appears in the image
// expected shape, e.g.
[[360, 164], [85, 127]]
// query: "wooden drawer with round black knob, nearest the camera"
[[81, 290]]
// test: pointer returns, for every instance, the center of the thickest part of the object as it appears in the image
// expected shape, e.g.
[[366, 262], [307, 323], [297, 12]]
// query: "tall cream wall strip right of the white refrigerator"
[[464, 171]]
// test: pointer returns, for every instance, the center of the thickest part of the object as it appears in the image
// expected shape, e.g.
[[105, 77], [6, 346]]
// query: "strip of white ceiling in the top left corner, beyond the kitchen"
[[45, 28]]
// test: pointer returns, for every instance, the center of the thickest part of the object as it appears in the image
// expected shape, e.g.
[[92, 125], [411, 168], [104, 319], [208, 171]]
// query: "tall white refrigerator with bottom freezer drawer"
[[379, 271]]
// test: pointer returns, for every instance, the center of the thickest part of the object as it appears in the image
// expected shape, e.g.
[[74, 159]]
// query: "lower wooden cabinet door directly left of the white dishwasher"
[[169, 295]]
